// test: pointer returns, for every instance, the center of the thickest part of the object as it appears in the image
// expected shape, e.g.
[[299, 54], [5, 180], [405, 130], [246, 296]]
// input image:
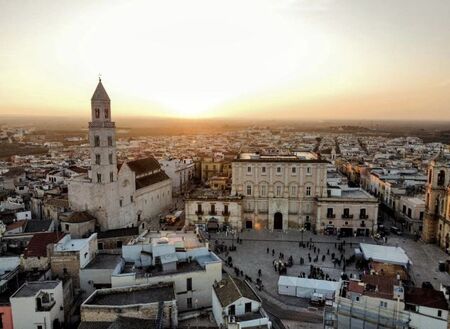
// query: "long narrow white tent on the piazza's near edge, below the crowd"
[[305, 288]]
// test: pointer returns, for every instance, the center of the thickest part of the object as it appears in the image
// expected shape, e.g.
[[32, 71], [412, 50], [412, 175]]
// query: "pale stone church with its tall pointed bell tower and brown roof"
[[117, 195]]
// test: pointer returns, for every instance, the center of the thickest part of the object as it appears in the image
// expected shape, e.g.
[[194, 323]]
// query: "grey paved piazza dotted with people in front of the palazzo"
[[251, 255]]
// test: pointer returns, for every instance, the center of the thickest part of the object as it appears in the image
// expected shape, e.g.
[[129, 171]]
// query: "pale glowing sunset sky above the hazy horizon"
[[262, 59]]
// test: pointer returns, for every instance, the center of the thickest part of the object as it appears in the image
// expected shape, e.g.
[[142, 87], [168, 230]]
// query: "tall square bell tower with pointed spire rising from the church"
[[102, 138]]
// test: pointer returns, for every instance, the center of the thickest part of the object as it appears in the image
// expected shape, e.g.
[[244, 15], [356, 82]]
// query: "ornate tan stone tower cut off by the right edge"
[[435, 201]]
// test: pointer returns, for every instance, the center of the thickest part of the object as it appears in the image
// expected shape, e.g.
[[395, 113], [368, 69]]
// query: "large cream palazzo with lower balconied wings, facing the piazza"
[[278, 192]]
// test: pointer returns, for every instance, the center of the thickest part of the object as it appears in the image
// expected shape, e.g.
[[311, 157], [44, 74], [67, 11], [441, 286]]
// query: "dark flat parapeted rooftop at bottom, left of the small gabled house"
[[144, 294]]
